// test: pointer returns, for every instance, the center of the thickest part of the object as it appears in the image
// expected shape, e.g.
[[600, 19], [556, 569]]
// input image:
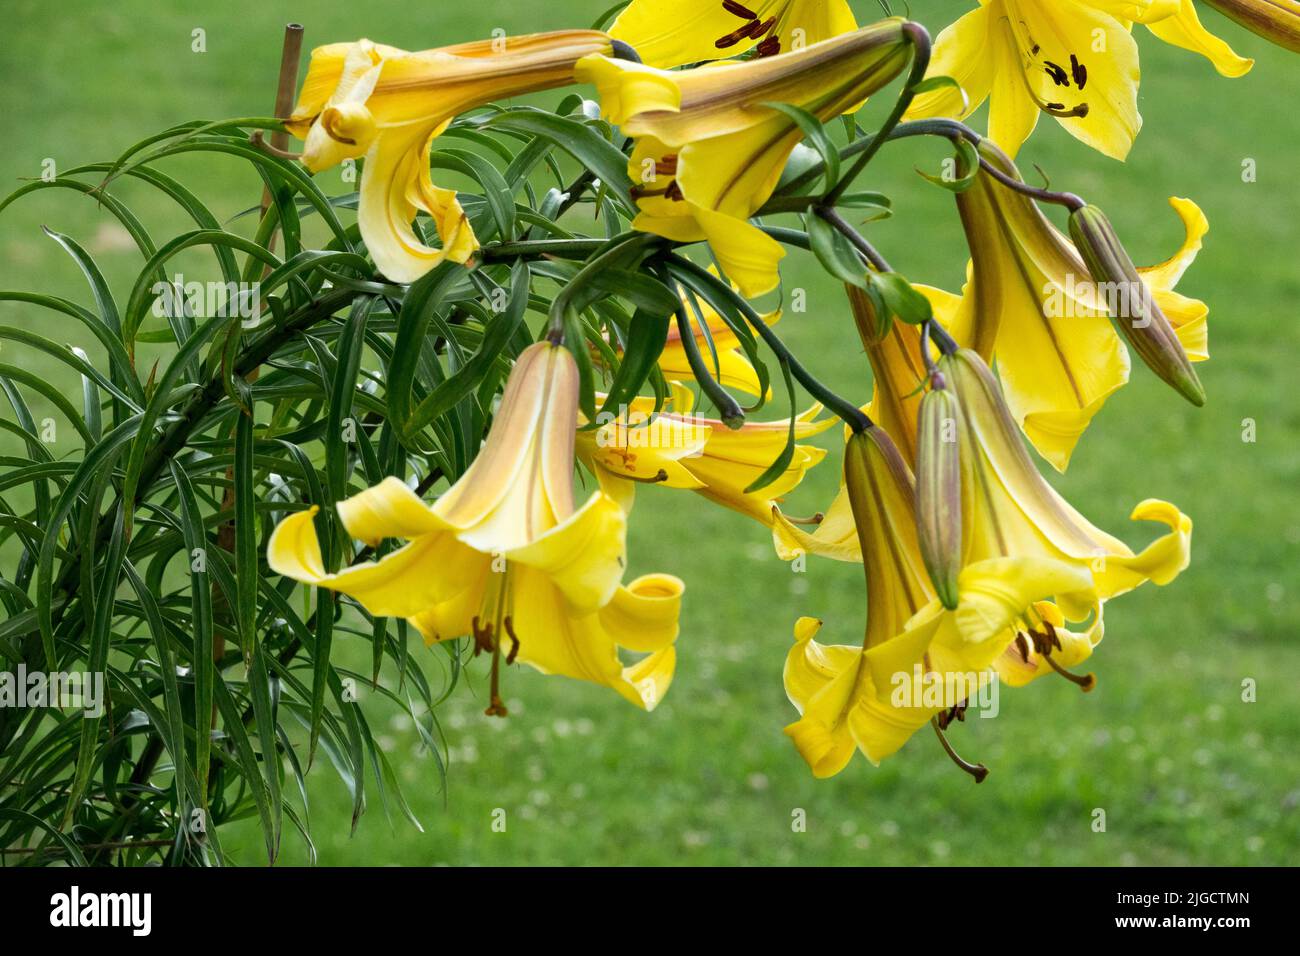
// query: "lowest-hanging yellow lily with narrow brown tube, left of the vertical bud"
[[869, 698]]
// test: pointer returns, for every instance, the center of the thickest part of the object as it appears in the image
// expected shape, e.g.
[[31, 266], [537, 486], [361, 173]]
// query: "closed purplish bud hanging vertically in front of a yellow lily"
[[939, 490]]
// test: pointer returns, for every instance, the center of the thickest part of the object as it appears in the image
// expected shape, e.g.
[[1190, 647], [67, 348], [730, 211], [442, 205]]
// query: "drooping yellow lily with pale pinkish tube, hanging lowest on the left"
[[505, 555]]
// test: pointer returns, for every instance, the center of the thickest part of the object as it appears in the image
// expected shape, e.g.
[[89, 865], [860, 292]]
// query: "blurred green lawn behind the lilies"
[[1186, 771]]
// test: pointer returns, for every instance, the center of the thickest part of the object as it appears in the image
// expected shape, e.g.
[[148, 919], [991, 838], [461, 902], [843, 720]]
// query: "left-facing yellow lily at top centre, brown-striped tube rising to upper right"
[[709, 153]]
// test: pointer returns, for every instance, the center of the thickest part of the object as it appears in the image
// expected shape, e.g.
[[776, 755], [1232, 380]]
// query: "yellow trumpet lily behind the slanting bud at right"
[[1030, 304]]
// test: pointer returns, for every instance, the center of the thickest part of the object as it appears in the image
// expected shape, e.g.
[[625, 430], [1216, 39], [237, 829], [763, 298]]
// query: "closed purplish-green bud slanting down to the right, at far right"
[[1136, 314]]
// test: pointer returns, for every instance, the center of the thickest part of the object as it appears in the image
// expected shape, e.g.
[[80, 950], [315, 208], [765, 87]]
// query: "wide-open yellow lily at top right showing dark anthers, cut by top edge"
[[1074, 60]]
